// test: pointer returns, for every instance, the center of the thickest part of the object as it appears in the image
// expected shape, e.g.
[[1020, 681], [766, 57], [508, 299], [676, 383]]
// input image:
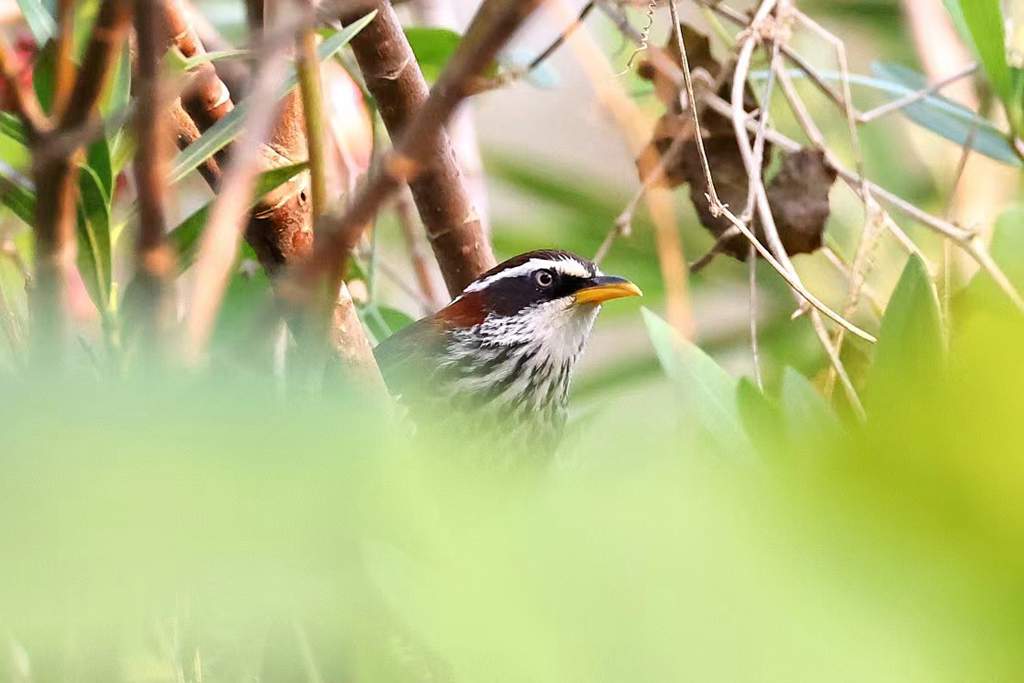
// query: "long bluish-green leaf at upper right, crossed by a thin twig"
[[945, 117]]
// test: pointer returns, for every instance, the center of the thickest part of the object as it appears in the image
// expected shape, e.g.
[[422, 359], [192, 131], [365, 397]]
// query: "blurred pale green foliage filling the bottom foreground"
[[207, 531]]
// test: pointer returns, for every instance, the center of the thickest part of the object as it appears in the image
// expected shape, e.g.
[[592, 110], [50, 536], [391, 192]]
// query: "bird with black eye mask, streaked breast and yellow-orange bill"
[[495, 366]]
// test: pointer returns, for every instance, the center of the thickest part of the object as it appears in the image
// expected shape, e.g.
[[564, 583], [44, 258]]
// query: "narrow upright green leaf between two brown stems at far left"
[[95, 238]]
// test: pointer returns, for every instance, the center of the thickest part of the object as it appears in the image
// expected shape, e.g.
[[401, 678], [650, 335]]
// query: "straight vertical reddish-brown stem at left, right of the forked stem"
[[155, 261]]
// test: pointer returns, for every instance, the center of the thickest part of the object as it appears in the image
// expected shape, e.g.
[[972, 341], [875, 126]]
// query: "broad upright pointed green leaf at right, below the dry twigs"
[[910, 352]]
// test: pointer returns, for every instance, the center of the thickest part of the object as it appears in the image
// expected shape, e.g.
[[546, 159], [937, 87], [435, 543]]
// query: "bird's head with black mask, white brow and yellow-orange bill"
[[546, 297]]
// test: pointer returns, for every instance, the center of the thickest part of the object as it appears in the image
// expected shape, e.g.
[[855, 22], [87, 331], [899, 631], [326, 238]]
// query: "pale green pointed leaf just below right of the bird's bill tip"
[[707, 392]]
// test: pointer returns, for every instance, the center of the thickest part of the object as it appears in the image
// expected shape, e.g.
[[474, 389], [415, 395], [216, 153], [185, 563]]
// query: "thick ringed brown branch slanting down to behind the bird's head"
[[394, 77]]
